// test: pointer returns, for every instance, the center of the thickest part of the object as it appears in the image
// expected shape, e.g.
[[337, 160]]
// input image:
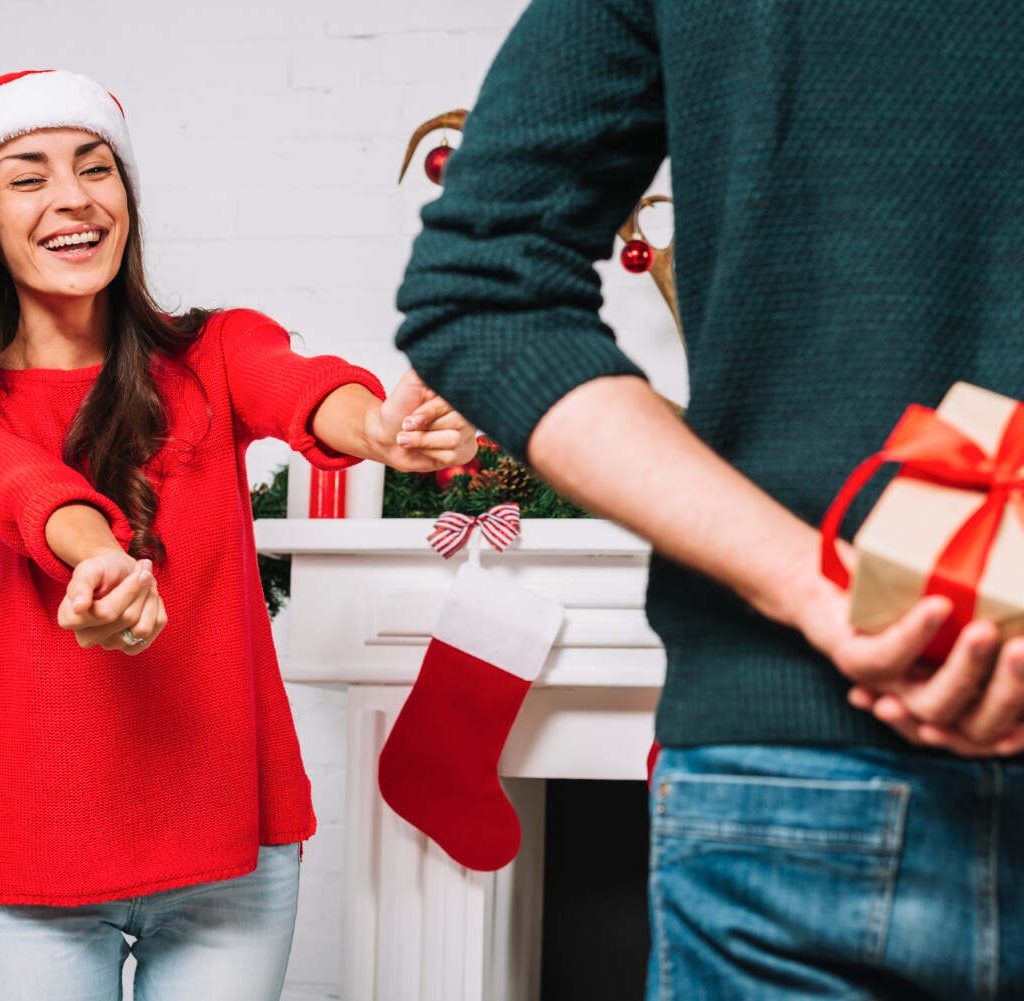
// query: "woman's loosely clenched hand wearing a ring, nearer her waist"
[[113, 602]]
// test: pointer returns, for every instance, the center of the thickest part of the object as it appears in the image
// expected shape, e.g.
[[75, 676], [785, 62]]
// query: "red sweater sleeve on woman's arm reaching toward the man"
[[275, 393]]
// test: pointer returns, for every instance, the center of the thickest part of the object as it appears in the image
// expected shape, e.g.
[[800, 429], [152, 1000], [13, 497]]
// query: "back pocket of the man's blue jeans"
[[790, 877]]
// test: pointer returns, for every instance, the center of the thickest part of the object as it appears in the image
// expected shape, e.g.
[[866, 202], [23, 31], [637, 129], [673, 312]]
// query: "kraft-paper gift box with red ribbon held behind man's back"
[[952, 523]]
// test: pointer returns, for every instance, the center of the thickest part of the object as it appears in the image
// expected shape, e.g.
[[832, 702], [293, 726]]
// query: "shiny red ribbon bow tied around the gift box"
[[932, 450]]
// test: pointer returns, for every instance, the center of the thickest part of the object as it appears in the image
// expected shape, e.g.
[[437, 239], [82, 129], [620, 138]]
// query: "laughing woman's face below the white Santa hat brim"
[[64, 213]]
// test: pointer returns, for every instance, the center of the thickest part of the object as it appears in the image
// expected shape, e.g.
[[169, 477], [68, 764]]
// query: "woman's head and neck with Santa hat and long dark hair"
[[70, 235]]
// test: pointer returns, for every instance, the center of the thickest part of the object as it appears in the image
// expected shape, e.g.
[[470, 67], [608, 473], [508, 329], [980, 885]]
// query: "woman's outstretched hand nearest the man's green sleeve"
[[416, 431]]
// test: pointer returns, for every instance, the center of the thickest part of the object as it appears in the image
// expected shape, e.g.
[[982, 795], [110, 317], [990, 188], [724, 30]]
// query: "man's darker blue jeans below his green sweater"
[[797, 874]]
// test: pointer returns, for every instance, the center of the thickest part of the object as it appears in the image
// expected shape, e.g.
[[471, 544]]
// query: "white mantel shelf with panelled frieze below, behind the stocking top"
[[366, 594]]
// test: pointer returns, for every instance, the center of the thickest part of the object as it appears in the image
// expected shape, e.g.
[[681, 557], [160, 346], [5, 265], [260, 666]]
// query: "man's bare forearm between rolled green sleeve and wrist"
[[614, 447]]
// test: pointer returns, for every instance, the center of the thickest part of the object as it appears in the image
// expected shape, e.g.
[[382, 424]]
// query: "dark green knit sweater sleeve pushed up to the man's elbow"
[[501, 297]]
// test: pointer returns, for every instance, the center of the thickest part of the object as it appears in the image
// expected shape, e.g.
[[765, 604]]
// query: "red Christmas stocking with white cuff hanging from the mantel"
[[439, 769]]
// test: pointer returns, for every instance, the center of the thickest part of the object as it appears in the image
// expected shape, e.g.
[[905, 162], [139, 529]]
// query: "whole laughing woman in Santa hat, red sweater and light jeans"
[[123, 432]]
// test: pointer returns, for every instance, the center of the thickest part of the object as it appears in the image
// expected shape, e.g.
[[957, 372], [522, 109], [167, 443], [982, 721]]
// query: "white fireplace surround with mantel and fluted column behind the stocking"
[[365, 596]]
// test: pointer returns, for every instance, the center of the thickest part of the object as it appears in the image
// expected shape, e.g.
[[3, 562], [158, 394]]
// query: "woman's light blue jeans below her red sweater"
[[227, 941]]
